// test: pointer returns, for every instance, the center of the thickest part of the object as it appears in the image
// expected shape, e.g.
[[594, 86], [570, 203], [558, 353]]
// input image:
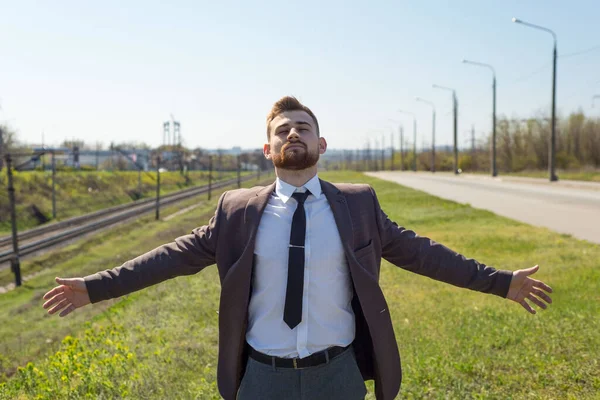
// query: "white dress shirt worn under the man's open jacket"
[[327, 316]]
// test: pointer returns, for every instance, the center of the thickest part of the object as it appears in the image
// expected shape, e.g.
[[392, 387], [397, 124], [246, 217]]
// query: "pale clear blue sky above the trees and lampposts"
[[114, 71]]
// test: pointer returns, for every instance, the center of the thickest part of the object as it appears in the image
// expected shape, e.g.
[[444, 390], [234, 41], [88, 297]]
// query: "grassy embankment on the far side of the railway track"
[[82, 192]]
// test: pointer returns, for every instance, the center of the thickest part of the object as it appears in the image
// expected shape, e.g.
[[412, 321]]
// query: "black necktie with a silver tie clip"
[[292, 313]]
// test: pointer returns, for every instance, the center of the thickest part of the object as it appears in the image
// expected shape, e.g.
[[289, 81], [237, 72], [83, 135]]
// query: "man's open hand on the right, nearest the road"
[[523, 287]]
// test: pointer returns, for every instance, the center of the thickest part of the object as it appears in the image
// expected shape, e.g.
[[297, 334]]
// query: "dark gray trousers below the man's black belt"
[[338, 379]]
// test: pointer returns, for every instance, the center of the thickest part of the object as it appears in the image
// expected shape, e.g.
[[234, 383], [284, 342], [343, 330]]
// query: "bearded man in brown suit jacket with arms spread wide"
[[301, 315]]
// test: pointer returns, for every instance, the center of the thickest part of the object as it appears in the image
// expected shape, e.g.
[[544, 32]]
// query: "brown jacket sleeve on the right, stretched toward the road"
[[421, 255]]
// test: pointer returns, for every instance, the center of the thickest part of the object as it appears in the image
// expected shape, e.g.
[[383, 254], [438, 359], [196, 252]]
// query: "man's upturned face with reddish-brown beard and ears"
[[293, 142]]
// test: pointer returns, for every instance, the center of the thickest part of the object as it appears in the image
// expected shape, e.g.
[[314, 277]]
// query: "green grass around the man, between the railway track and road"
[[455, 344]]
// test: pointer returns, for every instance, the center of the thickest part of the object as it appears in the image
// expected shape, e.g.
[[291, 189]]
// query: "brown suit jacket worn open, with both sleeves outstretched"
[[367, 235]]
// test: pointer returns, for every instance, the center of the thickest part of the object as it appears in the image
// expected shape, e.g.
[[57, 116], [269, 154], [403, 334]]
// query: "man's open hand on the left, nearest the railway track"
[[71, 294]]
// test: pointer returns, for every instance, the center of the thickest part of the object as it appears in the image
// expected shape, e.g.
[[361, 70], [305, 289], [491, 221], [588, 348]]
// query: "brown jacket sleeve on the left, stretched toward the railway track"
[[186, 255]]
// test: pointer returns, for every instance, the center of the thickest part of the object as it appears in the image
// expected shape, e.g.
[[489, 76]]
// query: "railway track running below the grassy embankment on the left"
[[50, 235]]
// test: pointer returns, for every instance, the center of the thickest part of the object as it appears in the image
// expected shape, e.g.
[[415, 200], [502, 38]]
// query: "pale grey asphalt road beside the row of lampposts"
[[566, 206]]
